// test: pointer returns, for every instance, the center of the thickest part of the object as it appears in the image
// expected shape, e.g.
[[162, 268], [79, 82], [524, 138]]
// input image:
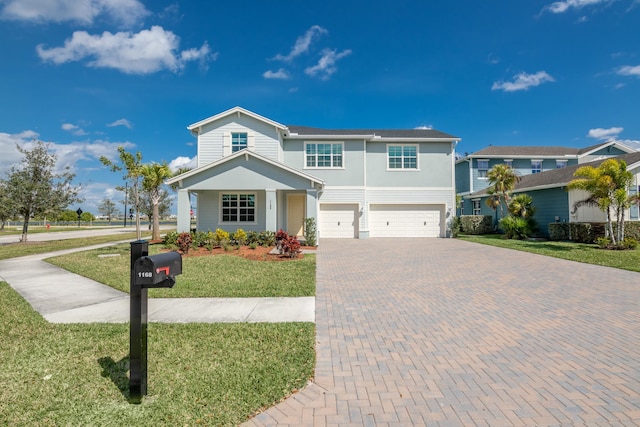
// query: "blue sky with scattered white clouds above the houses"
[[90, 75]]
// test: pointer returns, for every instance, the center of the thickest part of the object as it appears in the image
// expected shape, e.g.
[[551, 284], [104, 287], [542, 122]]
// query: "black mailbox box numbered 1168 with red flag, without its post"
[[157, 271]]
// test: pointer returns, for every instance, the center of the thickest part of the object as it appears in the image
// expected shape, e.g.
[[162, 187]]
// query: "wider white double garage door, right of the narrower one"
[[404, 220]]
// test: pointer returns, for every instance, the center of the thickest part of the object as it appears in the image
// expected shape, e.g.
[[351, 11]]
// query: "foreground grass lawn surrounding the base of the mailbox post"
[[199, 374]]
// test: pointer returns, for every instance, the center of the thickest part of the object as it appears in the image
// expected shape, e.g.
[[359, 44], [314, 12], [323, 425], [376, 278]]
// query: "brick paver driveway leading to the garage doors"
[[445, 332]]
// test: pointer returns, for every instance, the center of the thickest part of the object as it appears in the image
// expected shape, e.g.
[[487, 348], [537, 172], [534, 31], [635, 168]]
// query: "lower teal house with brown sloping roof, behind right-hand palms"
[[554, 203]]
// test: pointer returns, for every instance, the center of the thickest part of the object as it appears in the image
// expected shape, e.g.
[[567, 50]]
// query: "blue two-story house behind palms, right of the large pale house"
[[471, 171]]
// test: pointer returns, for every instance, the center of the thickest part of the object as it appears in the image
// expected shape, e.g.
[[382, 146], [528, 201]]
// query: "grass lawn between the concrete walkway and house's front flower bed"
[[222, 276]]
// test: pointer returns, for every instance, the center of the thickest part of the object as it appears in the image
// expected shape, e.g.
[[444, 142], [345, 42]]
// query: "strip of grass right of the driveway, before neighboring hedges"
[[581, 252]]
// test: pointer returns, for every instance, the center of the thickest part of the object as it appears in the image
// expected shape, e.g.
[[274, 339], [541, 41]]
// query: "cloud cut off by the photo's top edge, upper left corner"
[[124, 12]]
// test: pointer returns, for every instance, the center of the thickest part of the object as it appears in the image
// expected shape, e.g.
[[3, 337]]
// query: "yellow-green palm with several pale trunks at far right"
[[608, 186]]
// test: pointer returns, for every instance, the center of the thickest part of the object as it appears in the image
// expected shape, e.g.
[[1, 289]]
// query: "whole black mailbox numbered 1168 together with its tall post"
[[157, 271]]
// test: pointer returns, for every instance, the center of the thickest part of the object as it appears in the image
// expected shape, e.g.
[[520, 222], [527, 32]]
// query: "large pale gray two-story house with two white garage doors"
[[257, 174]]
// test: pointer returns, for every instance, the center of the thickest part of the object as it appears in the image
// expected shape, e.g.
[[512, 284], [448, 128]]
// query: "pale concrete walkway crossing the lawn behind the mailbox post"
[[63, 297]]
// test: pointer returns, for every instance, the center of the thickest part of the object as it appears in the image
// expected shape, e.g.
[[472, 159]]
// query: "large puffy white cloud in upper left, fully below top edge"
[[145, 52]]
